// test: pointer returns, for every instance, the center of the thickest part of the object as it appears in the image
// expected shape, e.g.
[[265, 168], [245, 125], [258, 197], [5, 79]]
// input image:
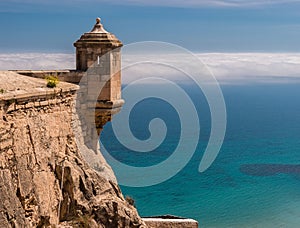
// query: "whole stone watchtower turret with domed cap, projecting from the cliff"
[[98, 56]]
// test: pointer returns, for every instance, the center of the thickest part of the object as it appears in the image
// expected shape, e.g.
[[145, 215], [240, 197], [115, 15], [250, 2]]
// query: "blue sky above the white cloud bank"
[[201, 26]]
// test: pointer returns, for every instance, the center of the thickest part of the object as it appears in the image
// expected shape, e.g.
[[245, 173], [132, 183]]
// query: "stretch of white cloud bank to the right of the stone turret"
[[226, 67]]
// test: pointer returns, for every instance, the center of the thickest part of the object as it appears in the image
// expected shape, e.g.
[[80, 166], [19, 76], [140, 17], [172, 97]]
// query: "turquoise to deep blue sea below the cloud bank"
[[255, 180]]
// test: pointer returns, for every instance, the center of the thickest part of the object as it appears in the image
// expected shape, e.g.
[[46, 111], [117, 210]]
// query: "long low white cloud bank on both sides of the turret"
[[226, 67]]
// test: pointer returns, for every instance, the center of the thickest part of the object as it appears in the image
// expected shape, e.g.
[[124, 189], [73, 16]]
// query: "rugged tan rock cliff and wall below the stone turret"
[[44, 181]]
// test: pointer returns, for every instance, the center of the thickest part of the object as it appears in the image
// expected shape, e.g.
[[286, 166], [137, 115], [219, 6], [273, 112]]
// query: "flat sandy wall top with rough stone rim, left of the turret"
[[32, 94]]
